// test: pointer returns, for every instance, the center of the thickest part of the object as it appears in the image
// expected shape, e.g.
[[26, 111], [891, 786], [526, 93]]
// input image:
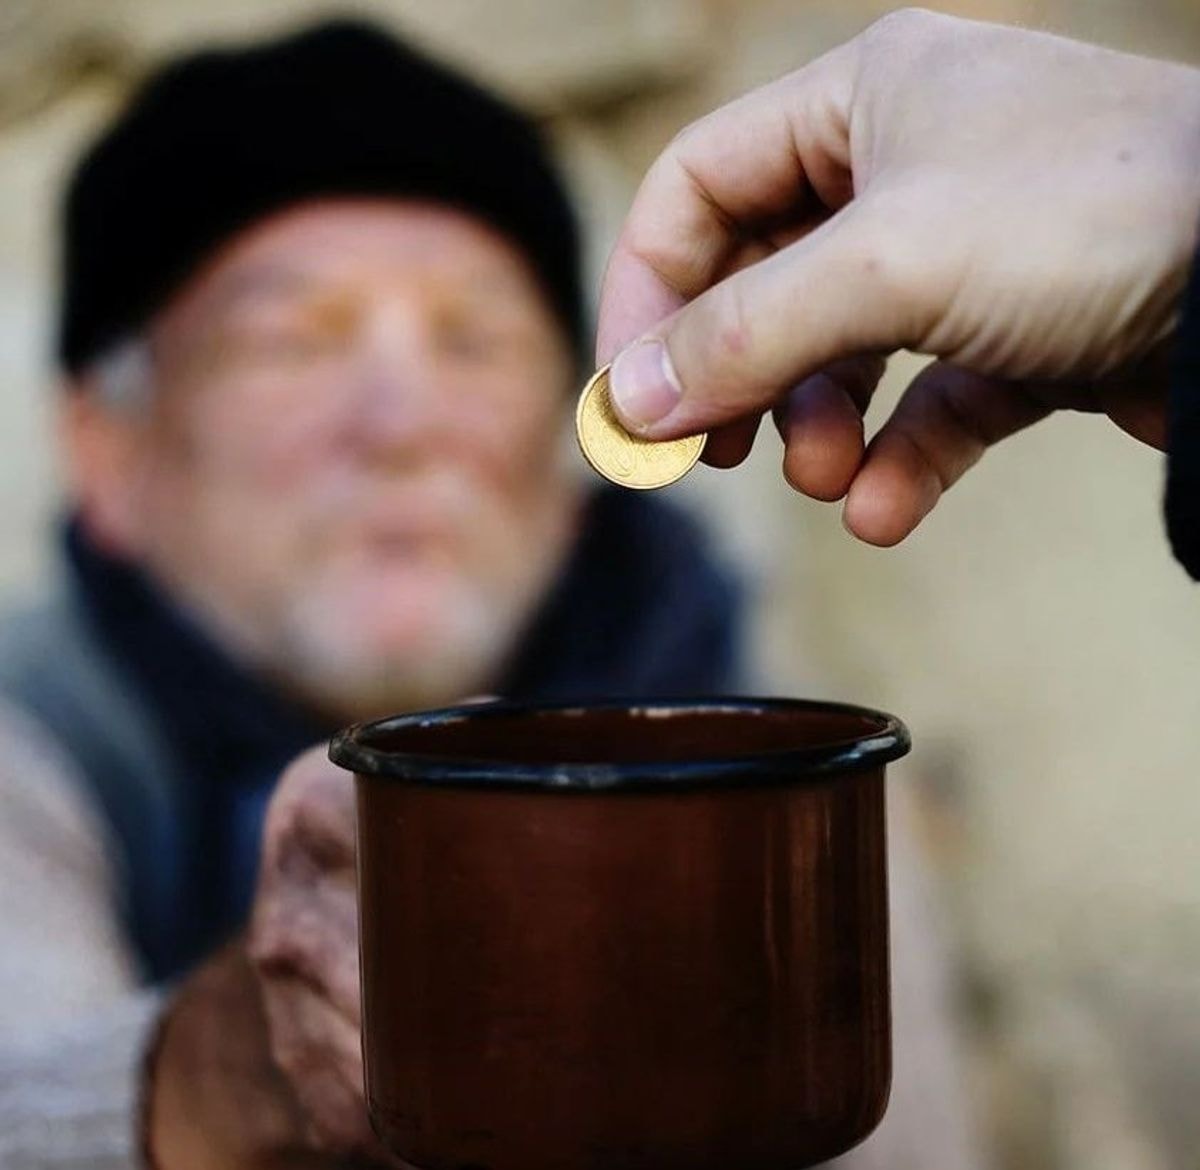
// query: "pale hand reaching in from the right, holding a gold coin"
[[1021, 207]]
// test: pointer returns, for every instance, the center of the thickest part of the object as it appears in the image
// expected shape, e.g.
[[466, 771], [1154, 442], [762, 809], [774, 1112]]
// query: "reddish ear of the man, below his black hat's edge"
[[103, 449]]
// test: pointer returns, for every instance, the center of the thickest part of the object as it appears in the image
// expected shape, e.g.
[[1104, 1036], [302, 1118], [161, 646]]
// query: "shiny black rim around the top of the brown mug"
[[886, 742]]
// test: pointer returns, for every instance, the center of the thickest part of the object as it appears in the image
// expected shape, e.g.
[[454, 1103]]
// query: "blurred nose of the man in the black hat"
[[397, 395]]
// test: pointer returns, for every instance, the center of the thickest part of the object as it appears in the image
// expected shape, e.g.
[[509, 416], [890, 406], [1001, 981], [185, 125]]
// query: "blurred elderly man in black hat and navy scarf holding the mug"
[[321, 316]]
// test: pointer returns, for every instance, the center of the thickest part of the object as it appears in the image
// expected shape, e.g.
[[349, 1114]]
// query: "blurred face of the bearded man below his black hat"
[[350, 464]]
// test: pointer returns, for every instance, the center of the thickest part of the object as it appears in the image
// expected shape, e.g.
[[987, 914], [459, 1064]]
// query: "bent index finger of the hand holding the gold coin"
[[745, 169]]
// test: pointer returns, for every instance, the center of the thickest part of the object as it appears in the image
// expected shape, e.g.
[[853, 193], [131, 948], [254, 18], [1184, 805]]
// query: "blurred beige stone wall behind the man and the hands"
[[1035, 634]]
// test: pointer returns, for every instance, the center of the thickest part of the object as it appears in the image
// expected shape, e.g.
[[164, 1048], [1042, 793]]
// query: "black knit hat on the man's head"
[[218, 140]]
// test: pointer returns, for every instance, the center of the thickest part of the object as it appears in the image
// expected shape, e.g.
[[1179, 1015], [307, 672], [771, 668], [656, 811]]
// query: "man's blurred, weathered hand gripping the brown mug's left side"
[[261, 1060]]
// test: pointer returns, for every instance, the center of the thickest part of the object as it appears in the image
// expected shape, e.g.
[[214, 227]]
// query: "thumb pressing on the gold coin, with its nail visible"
[[849, 289]]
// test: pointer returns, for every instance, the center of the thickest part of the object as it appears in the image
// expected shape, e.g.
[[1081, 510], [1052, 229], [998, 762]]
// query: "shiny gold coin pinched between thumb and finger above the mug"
[[623, 458]]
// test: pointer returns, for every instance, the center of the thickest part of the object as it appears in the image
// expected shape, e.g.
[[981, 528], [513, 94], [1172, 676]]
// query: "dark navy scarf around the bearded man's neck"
[[641, 609]]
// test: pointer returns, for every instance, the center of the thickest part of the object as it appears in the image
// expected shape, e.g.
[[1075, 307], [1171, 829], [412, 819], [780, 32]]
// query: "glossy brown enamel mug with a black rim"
[[625, 937]]
